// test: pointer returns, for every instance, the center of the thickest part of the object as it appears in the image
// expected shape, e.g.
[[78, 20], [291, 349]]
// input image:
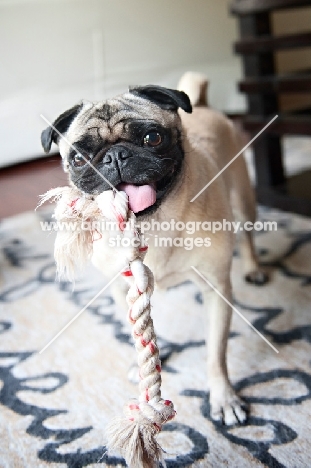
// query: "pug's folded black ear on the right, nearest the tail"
[[166, 98]]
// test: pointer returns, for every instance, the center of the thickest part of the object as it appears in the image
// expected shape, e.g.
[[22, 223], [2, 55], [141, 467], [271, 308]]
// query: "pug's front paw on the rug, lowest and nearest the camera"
[[230, 412]]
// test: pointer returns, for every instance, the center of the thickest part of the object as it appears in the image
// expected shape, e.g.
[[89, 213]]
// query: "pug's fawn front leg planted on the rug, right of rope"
[[225, 405]]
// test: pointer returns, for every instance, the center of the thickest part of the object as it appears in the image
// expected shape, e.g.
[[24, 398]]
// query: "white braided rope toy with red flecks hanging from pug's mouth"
[[135, 435]]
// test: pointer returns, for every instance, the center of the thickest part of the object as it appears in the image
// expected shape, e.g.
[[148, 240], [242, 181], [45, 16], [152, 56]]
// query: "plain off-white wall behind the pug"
[[55, 52]]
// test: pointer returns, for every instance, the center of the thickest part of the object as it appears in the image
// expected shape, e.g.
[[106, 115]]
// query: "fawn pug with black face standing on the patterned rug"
[[162, 149]]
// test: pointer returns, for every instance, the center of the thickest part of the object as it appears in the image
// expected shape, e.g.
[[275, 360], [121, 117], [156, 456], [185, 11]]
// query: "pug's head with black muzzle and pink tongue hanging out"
[[131, 142]]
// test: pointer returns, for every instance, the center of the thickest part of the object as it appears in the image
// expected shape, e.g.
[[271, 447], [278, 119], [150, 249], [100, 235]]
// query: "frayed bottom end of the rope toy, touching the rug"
[[136, 442]]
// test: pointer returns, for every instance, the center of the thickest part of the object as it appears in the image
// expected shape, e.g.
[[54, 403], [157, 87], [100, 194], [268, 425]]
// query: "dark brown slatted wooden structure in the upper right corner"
[[263, 87]]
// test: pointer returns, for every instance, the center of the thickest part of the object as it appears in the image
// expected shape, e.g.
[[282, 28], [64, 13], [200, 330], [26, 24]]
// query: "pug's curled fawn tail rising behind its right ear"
[[195, 85]]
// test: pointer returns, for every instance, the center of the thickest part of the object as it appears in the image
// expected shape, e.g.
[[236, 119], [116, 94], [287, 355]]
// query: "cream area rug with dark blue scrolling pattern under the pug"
[[55, 405]]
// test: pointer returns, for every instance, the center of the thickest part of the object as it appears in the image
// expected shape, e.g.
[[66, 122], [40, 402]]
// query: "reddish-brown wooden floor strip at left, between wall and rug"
[[21, 185]]
